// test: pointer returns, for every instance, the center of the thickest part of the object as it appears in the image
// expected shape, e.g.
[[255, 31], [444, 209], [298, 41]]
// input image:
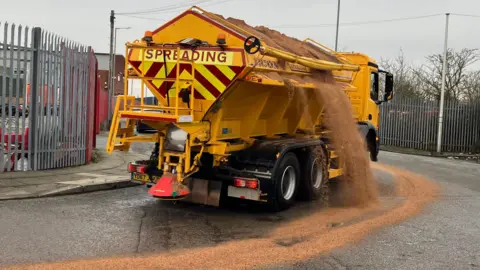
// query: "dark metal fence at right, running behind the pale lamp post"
[[413, 123]]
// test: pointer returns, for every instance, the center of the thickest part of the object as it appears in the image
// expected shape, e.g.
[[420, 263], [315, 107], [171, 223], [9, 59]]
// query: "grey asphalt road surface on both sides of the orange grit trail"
[[128, 221]]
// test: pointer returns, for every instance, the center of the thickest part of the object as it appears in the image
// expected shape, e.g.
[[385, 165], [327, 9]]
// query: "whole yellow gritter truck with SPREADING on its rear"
[[229, 124]]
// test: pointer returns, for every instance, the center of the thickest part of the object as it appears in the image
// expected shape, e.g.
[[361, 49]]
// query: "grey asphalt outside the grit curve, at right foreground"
[[445, 236]]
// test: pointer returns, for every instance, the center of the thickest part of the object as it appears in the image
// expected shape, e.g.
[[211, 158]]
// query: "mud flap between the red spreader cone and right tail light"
[[204, 191]]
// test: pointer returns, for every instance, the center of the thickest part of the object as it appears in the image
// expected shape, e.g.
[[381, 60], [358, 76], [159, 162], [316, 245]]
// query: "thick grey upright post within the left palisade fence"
[[33, 135]]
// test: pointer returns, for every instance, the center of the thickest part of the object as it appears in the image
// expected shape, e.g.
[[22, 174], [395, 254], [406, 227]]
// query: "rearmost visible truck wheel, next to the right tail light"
[[286, 182]]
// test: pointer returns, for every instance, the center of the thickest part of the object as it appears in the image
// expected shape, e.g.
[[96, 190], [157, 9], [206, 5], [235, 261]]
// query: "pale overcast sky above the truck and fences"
[[87, 21]]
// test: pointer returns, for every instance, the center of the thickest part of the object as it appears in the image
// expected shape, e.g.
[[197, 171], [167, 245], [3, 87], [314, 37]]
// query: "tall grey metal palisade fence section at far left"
[[46, 100]]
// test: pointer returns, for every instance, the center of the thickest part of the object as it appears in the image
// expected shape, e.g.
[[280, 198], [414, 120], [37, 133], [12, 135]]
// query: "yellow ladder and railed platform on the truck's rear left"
[[126, 108]]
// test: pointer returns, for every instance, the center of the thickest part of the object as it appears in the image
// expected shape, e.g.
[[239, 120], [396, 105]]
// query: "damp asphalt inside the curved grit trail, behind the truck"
[[127, 221]]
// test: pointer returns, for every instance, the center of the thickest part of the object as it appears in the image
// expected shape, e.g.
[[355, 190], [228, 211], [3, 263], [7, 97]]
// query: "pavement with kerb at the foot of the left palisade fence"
[[109, 172]]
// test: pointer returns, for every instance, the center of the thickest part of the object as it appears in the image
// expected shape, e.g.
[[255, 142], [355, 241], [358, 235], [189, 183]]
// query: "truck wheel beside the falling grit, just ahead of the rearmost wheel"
[[315, 179]]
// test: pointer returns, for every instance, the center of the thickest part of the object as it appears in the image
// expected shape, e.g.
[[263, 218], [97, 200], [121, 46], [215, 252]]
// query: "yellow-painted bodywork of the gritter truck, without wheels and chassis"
[[257, 103]]
